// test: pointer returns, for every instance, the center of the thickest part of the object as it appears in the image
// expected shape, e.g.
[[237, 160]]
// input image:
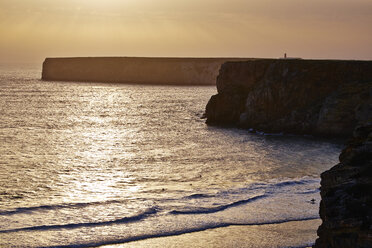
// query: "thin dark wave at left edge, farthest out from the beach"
[[56, 207]]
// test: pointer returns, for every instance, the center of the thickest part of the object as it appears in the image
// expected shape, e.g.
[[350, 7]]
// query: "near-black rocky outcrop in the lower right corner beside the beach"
[[346, 190]]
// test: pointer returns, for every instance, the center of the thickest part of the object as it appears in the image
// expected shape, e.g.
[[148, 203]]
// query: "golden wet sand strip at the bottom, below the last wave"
[[289, 234]]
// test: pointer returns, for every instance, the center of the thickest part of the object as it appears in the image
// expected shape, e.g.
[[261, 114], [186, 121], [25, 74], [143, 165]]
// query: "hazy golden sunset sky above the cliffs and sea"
[[31, 30]]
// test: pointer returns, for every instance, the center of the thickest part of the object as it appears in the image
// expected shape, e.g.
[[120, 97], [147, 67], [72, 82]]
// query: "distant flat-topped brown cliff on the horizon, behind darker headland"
[[183, 71]]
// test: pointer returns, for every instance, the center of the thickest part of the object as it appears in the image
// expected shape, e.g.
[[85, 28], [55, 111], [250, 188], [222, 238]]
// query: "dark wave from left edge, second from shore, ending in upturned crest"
[[134, 218]]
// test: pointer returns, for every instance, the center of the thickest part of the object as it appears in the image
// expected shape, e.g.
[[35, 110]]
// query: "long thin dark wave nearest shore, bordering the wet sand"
[[177, 232]]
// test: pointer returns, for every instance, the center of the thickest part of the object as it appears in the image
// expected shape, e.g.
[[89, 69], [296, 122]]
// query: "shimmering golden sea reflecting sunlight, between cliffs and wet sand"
[[92, 164]]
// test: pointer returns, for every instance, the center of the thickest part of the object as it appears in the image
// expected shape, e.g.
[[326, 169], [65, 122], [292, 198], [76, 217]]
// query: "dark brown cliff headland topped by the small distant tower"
[[321, 97]]
